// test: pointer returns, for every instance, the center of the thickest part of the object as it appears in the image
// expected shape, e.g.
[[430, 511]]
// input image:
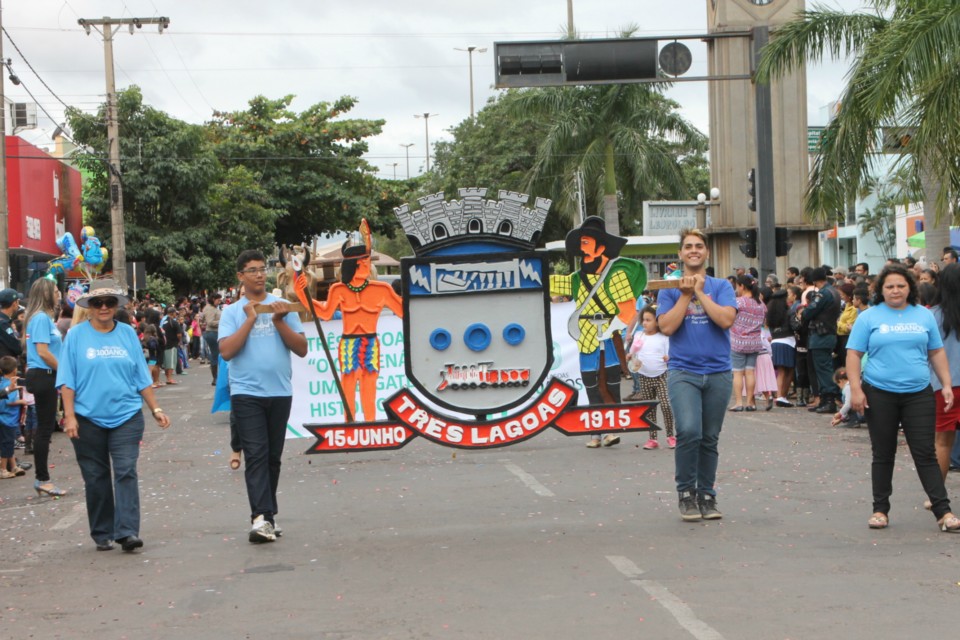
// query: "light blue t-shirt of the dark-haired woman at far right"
[[898, 342]]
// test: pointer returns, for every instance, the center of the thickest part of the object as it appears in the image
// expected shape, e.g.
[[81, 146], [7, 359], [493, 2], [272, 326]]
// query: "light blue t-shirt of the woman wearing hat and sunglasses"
[[107, 372]]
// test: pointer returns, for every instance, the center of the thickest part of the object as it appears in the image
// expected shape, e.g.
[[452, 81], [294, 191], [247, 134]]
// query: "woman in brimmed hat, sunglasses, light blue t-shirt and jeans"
[[104, 381]]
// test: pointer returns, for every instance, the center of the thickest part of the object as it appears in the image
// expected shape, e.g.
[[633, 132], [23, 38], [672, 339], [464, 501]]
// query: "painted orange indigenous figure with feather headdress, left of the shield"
[[360, 301]]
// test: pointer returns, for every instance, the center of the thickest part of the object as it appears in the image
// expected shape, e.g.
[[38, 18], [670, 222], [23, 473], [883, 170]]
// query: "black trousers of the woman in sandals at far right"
[[916, 413]]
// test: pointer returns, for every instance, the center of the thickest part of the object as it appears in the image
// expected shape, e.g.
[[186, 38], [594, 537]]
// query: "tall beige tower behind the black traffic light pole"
[[733, 134]]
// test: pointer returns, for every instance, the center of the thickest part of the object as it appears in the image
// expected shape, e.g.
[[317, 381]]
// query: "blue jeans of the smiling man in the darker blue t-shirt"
[[699, 404]]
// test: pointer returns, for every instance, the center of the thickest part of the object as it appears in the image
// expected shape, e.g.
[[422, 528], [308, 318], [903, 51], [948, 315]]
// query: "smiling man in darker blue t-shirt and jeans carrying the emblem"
[[697, 317]]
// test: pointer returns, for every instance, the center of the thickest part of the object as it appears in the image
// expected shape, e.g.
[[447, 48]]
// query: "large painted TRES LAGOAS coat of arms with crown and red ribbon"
[[476, 331]]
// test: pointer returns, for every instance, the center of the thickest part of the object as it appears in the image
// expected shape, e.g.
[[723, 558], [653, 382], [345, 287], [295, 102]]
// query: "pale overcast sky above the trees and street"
[[397, 58]]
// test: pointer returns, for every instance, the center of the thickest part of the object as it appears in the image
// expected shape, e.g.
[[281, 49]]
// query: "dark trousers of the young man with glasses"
[[262, 427]]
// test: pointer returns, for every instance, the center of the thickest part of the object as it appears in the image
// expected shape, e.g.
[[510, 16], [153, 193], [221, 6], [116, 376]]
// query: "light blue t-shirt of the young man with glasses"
[[262, 367]]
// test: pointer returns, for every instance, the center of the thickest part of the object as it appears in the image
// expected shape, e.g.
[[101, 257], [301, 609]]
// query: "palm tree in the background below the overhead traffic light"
[[627, 140]]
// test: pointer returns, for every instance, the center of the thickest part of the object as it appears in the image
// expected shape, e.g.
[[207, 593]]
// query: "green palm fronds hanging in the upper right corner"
[[905, 78]]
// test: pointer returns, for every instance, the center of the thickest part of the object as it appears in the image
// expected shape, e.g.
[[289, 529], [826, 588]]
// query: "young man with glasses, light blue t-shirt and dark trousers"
[[258, 348]]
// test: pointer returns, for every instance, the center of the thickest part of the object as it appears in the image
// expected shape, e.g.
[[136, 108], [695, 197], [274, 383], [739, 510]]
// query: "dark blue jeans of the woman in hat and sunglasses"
[[113, 504]]
